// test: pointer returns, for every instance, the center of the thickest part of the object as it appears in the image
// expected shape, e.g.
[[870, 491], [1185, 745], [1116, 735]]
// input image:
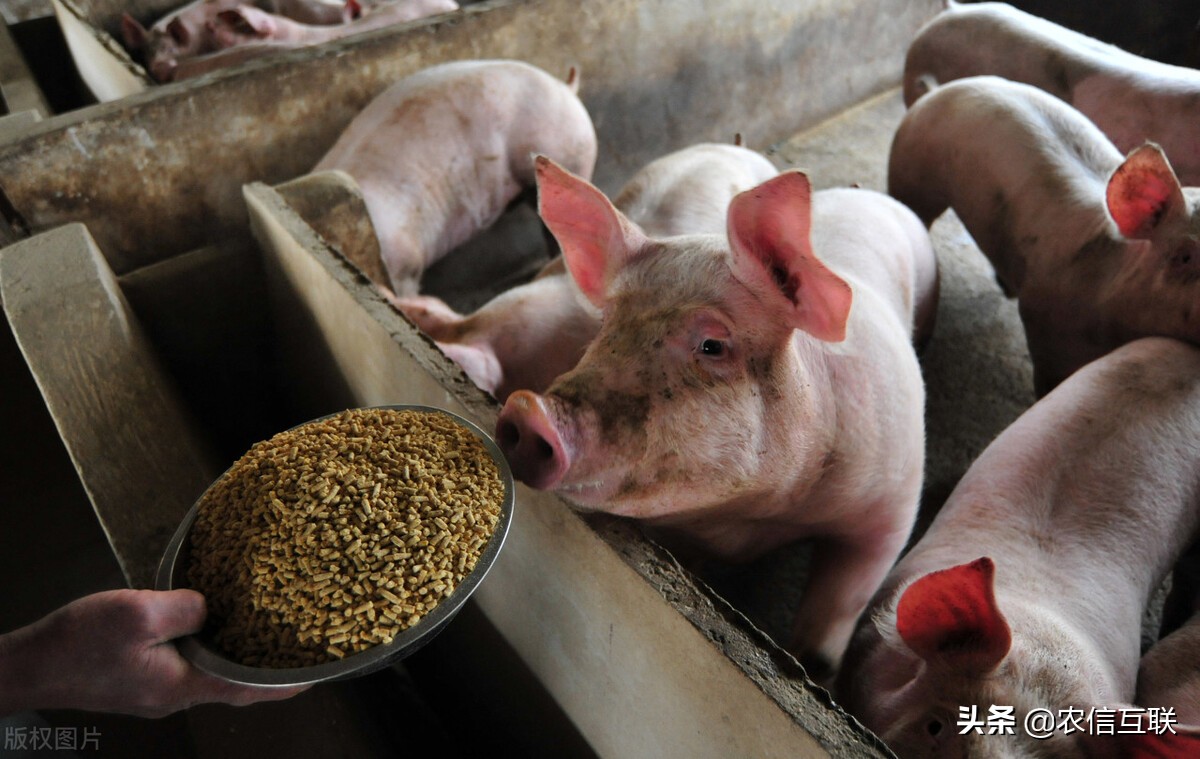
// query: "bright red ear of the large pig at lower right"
[[952, 617]]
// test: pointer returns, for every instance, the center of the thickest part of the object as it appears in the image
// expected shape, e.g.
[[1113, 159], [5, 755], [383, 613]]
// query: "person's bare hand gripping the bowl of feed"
[[112, 653]]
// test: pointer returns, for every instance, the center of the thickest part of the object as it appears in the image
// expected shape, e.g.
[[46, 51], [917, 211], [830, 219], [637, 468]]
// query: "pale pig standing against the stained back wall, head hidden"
[[441, 154]]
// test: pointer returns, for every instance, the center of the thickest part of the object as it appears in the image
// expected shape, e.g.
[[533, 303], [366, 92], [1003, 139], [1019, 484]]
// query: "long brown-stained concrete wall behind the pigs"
[[160, 172]]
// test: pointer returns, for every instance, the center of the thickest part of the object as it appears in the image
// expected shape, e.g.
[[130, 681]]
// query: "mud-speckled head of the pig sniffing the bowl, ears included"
[[692, 396]]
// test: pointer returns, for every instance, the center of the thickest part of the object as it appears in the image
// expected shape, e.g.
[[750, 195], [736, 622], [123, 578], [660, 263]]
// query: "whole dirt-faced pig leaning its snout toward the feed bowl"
[[746, 390]]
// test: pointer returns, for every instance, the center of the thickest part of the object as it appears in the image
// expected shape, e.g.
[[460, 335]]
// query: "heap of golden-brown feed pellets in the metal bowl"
[[339, 535]]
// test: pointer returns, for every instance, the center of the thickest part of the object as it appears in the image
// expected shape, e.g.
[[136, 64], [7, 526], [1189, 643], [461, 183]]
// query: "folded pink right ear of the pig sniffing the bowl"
[[769, 230]]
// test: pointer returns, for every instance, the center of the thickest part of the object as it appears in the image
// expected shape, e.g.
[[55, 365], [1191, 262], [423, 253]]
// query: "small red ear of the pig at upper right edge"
[[1143, 193]]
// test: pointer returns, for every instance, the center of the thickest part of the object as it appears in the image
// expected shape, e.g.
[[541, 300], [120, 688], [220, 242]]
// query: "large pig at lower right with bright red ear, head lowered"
[[1028, 590]]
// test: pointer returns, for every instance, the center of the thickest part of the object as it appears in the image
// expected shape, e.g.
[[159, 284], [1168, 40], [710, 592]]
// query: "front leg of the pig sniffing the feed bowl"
[[844, 575]]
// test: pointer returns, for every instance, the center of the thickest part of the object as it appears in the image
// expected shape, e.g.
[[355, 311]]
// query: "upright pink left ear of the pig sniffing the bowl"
[[596, 238]]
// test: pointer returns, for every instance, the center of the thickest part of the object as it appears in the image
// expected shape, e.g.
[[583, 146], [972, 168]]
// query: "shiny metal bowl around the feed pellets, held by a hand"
[[173, 575]]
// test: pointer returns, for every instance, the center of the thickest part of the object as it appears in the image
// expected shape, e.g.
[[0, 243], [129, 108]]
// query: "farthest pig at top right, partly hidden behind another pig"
[[1130, 98]]
